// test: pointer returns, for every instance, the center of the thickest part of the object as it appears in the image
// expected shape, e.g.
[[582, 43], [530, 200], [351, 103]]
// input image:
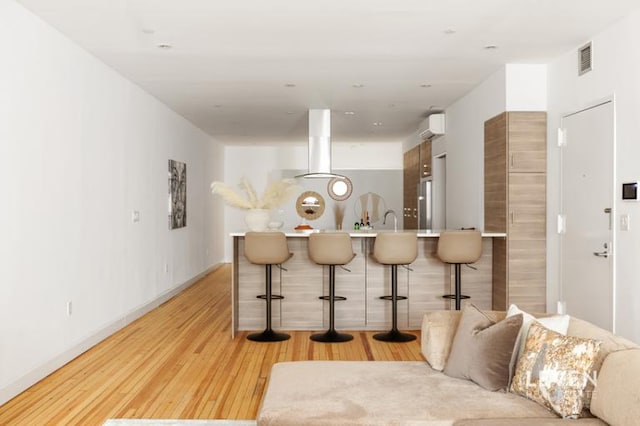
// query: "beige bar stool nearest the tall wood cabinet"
[[456, 248]]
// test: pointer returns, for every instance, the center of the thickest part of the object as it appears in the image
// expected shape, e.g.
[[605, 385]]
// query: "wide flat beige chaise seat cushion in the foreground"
[[380, 393]]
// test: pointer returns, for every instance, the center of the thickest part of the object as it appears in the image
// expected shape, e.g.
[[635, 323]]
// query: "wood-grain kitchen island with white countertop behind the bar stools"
[[302, 282]]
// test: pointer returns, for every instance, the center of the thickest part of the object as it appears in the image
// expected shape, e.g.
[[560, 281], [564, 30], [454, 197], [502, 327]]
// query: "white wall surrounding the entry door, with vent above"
[[616, 71]]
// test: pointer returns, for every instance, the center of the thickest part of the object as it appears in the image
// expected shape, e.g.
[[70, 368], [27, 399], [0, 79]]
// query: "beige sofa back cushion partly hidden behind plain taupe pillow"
[[438, 331]]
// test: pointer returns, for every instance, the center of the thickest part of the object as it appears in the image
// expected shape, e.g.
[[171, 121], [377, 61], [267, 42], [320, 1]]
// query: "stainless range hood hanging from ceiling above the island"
[[319, 145]]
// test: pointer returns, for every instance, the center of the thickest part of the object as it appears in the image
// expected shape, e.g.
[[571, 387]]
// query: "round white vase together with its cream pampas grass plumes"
[[258, 216]]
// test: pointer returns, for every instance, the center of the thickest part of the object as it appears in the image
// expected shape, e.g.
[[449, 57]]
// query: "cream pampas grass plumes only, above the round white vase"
[[276, 194]]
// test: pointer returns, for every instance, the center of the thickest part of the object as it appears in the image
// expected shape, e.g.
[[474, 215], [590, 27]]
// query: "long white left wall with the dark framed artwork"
[[82, 148]]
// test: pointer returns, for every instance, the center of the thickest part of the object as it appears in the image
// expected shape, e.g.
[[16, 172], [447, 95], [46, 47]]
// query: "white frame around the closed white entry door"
[[614, 232]]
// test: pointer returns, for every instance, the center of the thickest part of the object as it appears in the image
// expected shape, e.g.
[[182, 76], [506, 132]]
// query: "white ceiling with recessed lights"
[[231, 60]]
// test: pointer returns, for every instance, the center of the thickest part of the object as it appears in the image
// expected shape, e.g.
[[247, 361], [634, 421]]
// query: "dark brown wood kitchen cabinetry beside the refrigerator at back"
[[417, 165]]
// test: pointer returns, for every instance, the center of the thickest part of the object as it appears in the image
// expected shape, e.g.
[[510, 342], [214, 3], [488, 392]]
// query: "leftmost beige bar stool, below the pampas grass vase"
[[267, 248]]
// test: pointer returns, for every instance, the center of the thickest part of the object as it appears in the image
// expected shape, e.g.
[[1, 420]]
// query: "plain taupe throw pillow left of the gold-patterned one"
[[481, 349]]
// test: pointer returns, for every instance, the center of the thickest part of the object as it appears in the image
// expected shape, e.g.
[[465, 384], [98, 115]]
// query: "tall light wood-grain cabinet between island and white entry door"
[[515, 203]]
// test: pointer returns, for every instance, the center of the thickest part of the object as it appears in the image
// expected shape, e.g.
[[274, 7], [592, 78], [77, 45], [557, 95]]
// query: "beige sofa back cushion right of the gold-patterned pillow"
[[616, 398]]
